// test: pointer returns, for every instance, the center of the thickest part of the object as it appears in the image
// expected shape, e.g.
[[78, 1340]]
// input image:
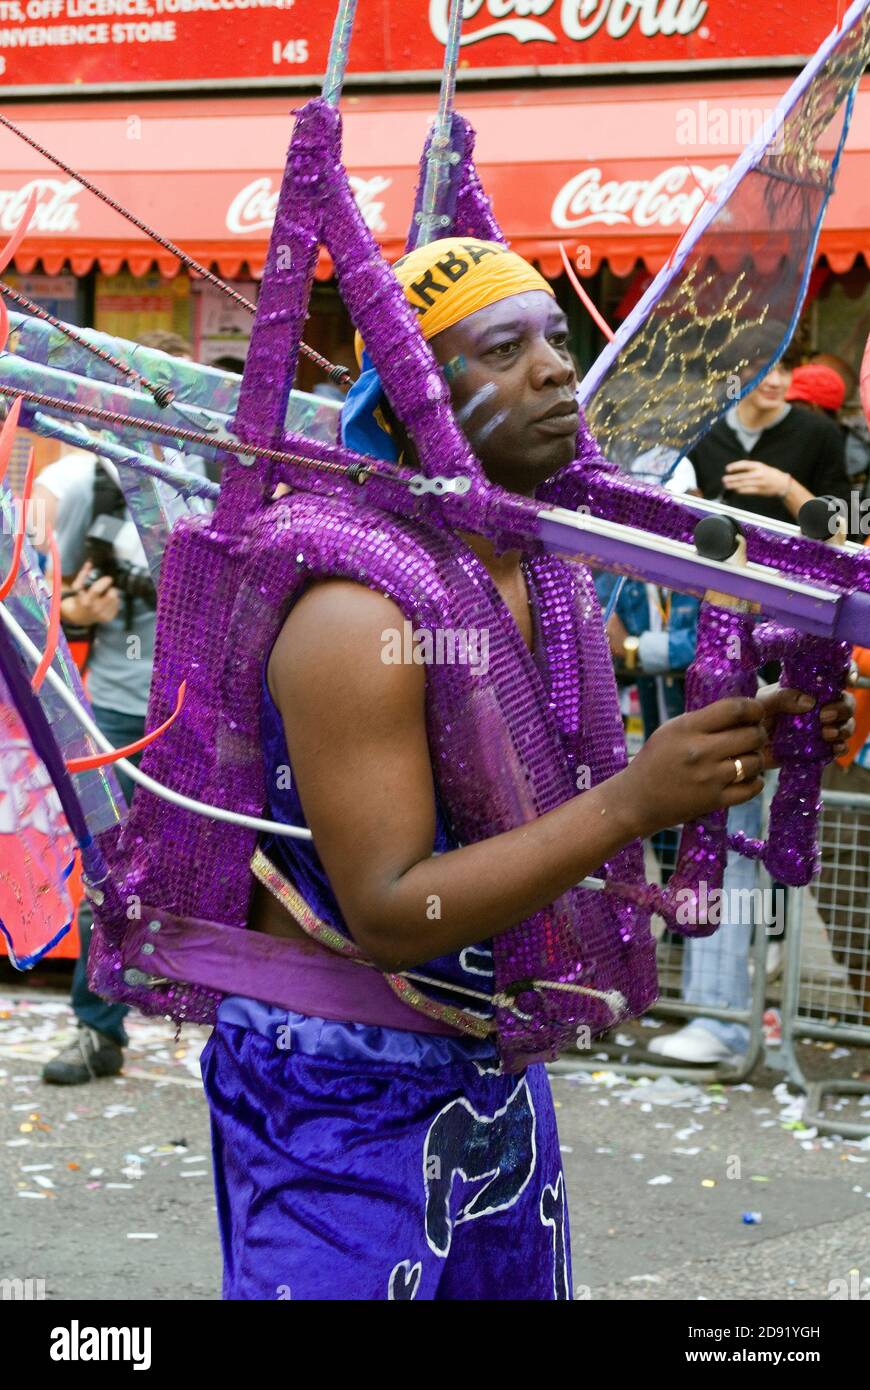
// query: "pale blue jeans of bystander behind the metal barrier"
[[716, 970]]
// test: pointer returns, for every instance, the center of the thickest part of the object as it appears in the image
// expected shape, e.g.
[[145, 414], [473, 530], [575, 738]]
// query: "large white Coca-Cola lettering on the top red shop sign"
[[580, 20]]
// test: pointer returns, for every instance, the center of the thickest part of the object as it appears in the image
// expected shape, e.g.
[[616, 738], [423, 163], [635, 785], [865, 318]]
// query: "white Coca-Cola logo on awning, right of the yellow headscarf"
[[671, 198]]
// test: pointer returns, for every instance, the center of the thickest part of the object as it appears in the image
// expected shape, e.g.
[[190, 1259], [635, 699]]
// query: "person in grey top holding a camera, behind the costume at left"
[[109, 603]]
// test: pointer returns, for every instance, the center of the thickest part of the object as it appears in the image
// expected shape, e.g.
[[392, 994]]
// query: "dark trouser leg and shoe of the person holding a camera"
[[90, 1054]]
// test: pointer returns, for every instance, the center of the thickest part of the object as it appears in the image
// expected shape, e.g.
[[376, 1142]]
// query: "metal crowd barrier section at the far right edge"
[[826, 993]]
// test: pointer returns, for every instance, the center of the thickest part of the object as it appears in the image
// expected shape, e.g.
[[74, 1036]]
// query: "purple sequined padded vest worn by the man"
[[507, 747]]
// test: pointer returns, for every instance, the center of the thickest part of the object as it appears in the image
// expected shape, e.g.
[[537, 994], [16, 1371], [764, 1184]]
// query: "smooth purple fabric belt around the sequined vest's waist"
[[284, 972]]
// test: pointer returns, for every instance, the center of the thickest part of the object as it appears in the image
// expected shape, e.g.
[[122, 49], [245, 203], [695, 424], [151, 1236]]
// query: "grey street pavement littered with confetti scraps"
[[108, 1188]]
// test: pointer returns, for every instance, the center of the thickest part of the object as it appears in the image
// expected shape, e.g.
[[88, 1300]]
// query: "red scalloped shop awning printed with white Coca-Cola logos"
[[615, 170]]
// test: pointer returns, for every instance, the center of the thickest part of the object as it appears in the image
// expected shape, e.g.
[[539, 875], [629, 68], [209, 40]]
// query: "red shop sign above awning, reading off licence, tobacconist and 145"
[[79, 47]]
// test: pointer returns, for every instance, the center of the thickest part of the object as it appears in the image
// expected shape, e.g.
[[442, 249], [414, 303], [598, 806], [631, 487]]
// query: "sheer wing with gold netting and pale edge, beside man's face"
[[722, 313]]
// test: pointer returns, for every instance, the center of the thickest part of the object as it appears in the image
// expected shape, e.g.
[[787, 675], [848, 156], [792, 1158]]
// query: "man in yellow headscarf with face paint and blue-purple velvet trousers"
[[365, 1159]]
